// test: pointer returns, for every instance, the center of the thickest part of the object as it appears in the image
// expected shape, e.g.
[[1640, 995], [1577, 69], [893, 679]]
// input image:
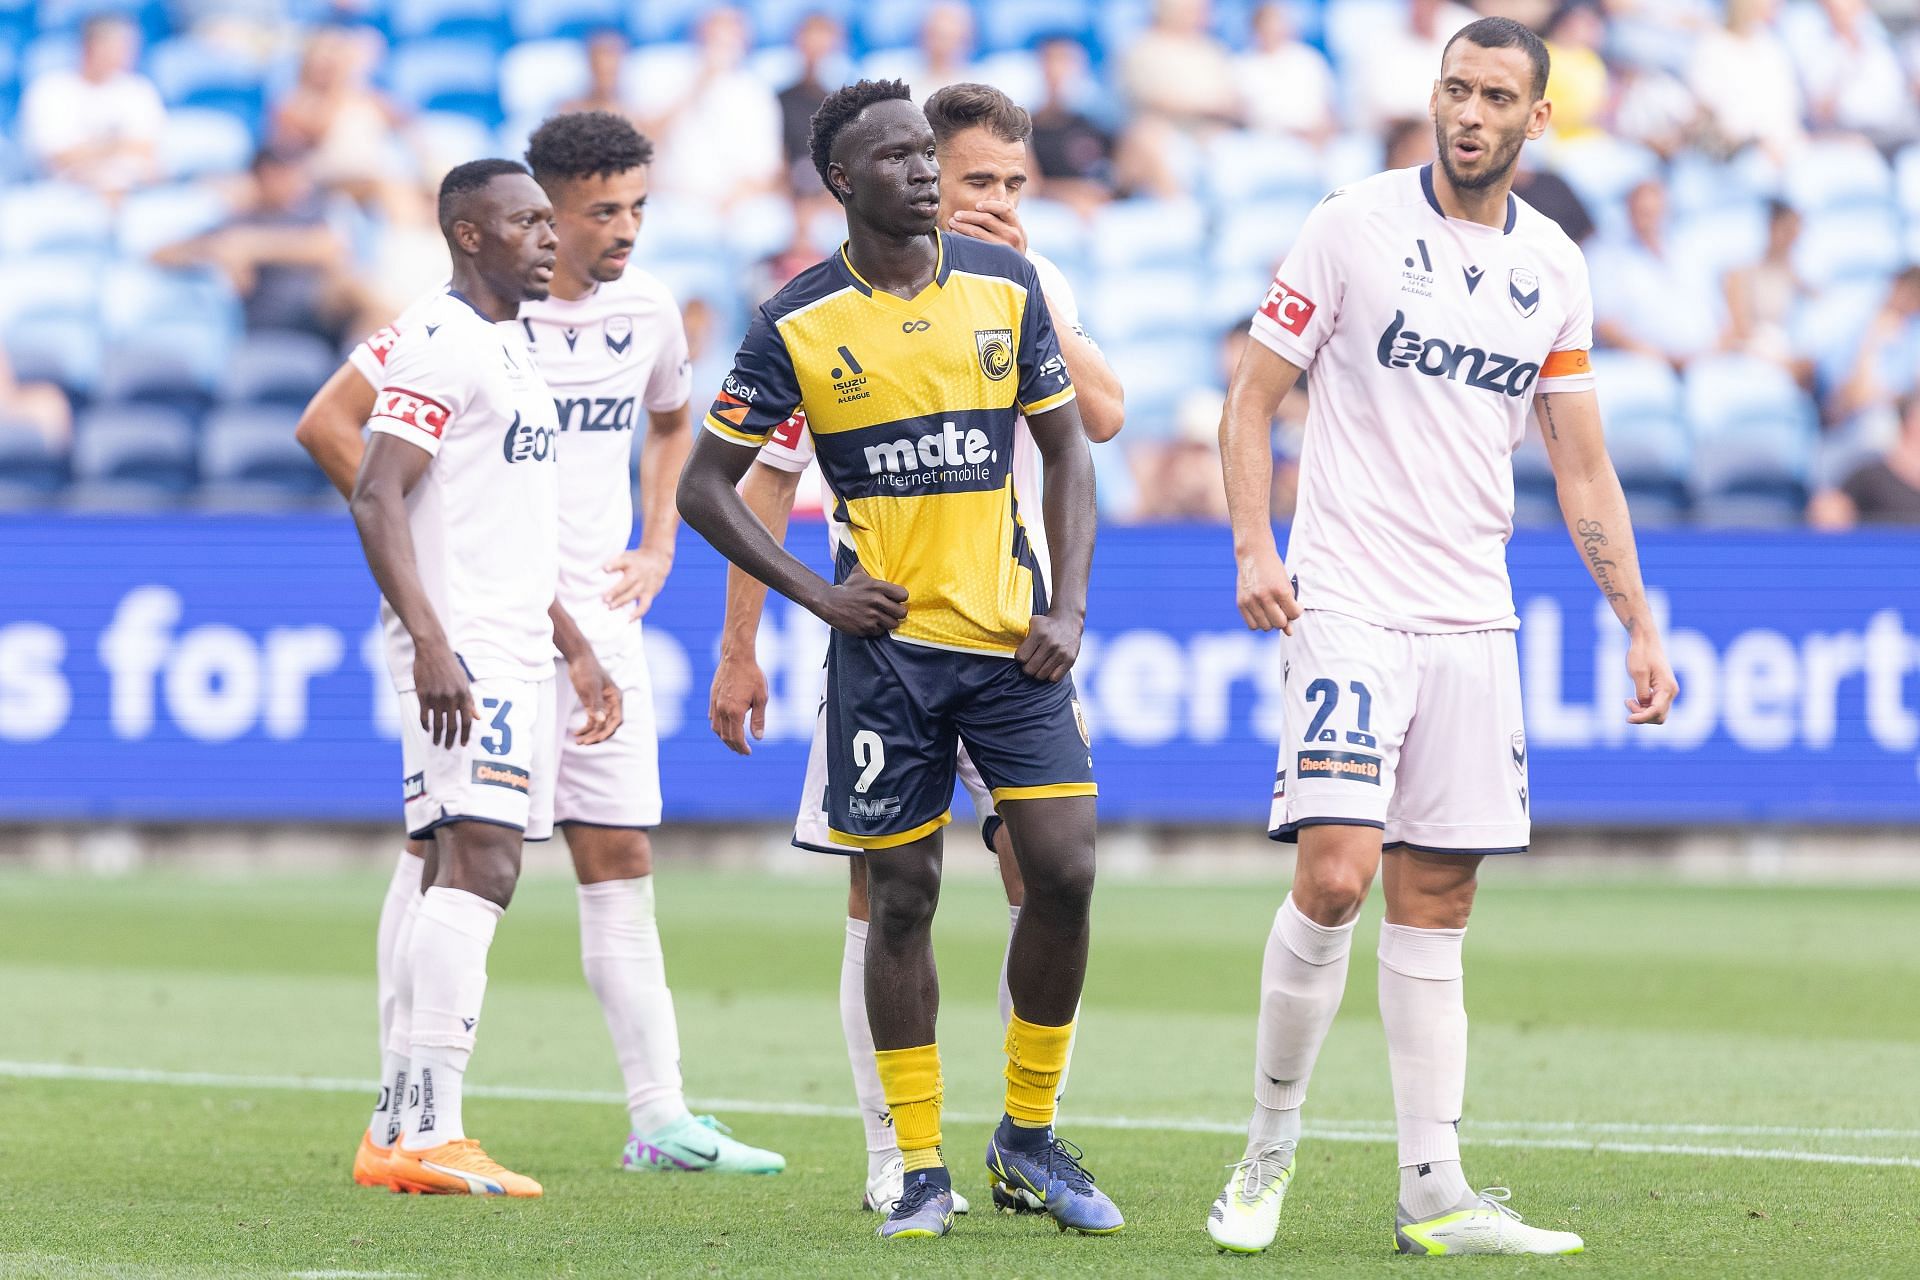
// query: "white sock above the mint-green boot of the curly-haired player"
[[625, 966]]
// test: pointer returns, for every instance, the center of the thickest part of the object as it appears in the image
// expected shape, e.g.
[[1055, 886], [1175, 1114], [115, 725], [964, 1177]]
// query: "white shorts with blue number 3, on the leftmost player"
[[504, 774]]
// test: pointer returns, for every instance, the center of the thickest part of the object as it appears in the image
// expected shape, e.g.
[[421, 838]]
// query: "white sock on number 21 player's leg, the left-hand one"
[[1301, 987]]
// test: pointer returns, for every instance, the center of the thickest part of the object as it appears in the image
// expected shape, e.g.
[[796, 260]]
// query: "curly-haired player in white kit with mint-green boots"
[[612, 346]]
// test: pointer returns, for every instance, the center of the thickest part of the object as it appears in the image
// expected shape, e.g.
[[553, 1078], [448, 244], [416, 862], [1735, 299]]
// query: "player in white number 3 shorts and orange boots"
[[458, 510]]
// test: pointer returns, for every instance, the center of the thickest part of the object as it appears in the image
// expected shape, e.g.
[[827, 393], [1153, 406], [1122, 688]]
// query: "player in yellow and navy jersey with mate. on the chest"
[[913, 354]]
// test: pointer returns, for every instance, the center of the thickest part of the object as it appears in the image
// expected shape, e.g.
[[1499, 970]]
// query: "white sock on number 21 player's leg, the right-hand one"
[[1426, 1012]]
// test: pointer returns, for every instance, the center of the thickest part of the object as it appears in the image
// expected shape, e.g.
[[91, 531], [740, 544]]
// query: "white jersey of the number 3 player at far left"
[[485, 517]]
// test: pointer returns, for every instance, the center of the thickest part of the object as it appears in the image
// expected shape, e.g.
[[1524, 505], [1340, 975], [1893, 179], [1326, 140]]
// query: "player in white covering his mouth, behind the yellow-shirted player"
[[982, 139]]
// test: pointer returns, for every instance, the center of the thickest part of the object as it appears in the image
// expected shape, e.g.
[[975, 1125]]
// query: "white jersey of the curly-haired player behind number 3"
[[610, 358]]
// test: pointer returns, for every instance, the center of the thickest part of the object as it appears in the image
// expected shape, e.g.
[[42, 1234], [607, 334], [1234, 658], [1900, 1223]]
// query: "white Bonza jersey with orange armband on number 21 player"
[[1426, 341]]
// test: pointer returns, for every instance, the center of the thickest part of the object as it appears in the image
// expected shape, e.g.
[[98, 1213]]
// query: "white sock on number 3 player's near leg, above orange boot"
[[452, 936]]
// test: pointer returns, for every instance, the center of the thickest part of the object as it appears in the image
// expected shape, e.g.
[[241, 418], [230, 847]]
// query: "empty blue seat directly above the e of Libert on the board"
[[1754, 440]]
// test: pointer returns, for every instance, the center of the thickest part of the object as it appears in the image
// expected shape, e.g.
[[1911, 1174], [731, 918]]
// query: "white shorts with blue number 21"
[[1420, 736]]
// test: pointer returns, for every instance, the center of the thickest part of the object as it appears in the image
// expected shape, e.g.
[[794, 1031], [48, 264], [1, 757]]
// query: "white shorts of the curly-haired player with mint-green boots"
[[613, 784]]
